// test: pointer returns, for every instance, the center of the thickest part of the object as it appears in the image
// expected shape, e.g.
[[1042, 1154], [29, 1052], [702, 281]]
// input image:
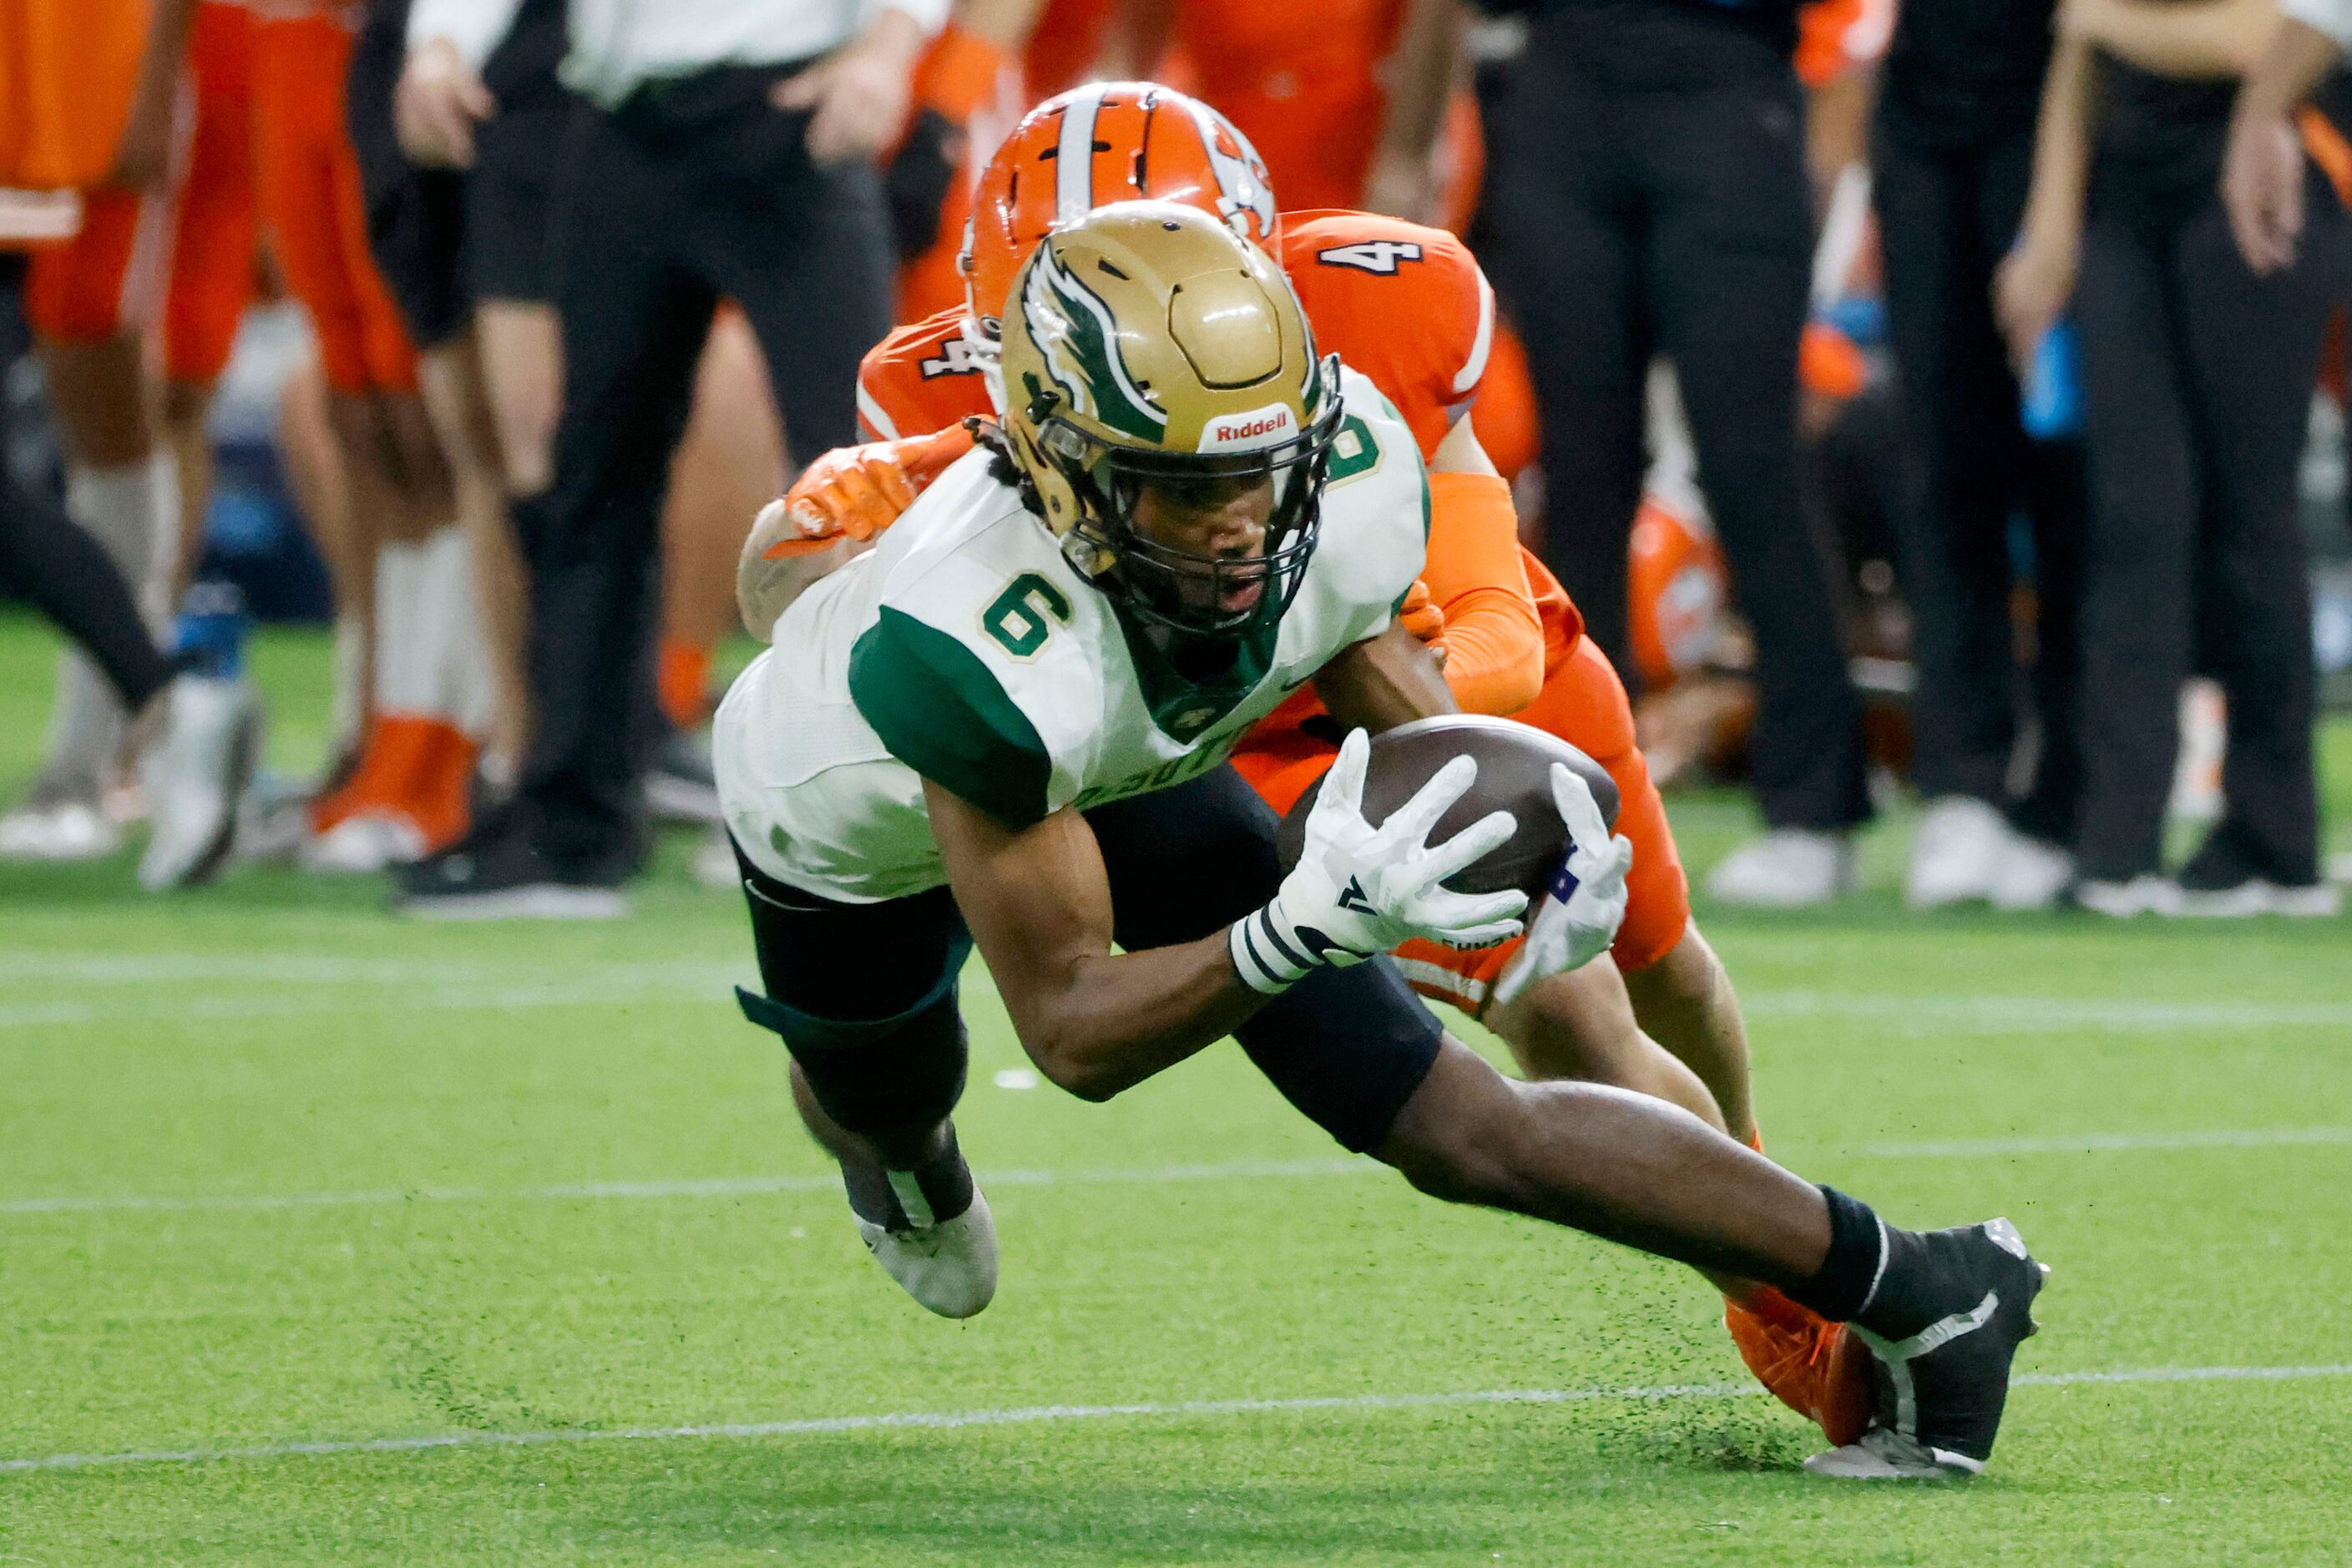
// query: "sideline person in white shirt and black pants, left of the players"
[[728, 149]]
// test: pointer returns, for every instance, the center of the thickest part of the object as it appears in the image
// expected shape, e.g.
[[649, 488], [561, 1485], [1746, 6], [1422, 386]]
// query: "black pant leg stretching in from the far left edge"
[[60, 570]]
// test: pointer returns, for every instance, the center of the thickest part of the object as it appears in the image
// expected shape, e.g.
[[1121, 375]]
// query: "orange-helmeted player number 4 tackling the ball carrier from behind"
[[1410, 309]]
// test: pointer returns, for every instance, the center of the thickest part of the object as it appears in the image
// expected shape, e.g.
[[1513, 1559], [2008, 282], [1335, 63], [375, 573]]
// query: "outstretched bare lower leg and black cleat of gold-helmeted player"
[[1942, 1311]]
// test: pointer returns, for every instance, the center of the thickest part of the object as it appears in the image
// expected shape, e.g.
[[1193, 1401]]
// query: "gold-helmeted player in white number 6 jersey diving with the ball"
[[1008, 728]]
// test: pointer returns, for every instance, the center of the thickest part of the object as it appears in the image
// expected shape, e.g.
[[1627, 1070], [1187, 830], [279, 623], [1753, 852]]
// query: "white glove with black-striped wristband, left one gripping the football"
[[1363, 890]]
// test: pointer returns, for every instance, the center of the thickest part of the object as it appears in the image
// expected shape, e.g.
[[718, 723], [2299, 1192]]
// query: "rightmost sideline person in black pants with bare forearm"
[[2198, 382]]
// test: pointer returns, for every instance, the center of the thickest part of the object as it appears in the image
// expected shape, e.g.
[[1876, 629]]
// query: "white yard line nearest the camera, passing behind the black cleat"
[[935, 1421]]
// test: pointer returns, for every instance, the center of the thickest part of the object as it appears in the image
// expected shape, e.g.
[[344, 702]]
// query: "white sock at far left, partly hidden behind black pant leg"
[[133, 511]]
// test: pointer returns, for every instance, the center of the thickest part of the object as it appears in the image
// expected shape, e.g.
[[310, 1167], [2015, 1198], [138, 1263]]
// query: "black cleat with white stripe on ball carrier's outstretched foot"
[[1942, 1388]]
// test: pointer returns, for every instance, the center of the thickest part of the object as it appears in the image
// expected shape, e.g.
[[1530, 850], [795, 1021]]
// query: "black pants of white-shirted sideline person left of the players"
[[690, 194]]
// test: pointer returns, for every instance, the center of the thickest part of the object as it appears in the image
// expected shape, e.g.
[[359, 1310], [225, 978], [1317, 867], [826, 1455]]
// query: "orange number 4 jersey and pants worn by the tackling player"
[[1410, 309]]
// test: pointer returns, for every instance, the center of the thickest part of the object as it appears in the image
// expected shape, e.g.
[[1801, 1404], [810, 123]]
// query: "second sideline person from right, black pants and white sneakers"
[[1953, 159]]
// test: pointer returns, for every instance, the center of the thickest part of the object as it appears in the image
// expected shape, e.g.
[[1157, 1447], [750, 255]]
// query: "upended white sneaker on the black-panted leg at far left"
[[196, 777]]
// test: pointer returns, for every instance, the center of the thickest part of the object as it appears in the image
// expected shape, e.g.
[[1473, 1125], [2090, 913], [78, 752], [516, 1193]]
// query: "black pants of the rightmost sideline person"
[[2198, 382]]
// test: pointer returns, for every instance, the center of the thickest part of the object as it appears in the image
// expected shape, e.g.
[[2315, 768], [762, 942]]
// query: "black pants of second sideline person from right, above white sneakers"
[[1946, 220]]
